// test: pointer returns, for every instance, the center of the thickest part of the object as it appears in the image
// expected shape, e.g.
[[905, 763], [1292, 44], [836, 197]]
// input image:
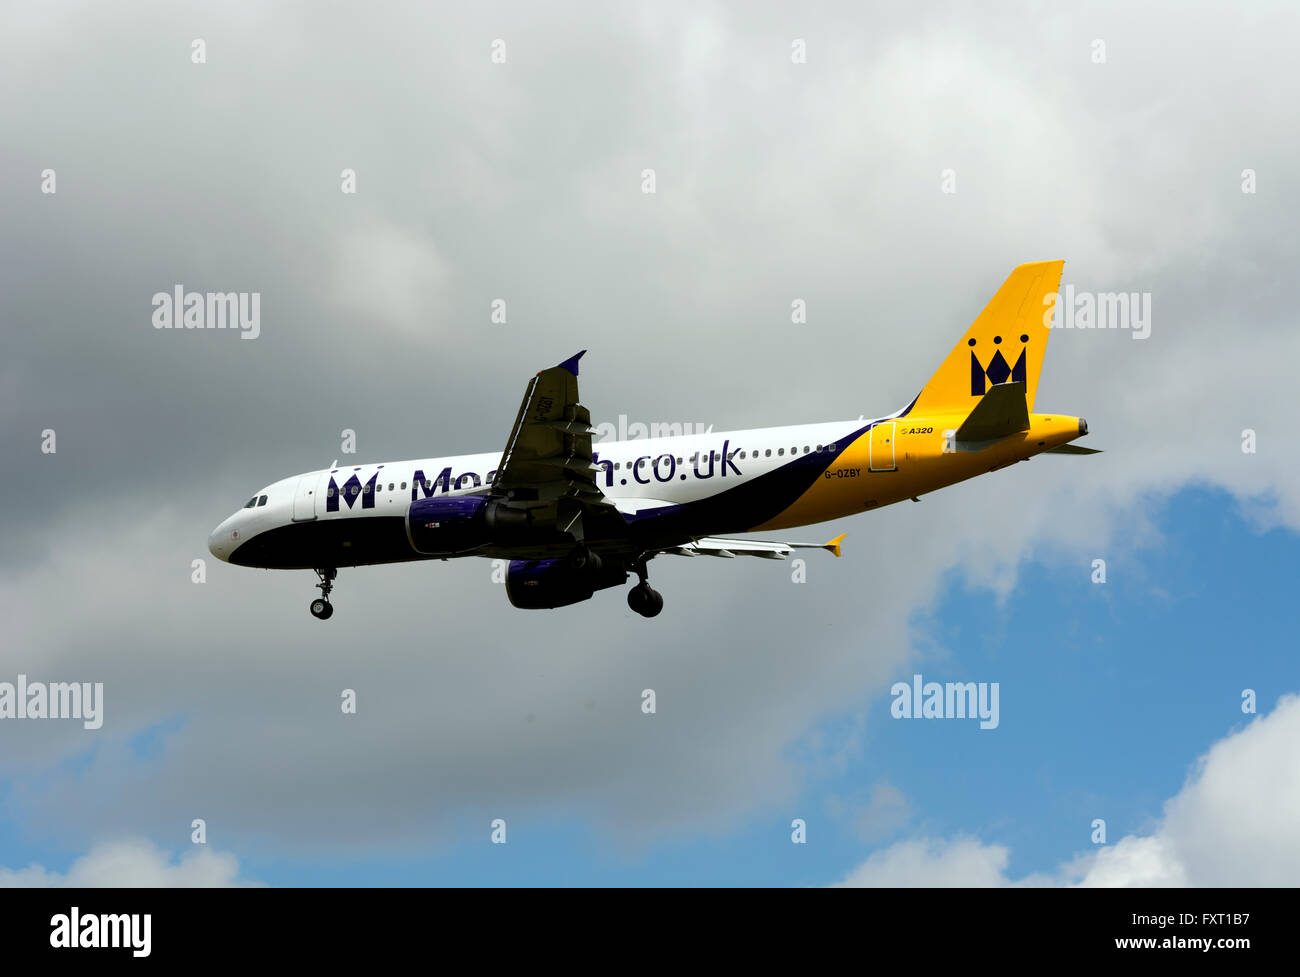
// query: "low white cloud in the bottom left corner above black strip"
[[133, 865]]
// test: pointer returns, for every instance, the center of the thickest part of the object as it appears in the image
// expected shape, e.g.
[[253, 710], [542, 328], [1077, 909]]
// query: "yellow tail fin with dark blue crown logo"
[[1004, 345]]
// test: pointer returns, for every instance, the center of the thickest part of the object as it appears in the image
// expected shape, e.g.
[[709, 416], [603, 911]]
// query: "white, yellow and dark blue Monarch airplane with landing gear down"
[[574, 518]]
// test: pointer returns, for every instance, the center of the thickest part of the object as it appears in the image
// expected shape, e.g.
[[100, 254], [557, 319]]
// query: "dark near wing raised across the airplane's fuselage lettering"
[[548, 458]]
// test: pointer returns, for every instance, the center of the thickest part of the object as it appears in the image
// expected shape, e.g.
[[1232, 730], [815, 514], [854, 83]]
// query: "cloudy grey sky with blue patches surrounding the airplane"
[[886, 167]]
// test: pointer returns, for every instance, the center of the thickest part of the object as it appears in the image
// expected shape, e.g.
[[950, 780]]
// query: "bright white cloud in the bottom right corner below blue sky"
[[1233, 824]]
